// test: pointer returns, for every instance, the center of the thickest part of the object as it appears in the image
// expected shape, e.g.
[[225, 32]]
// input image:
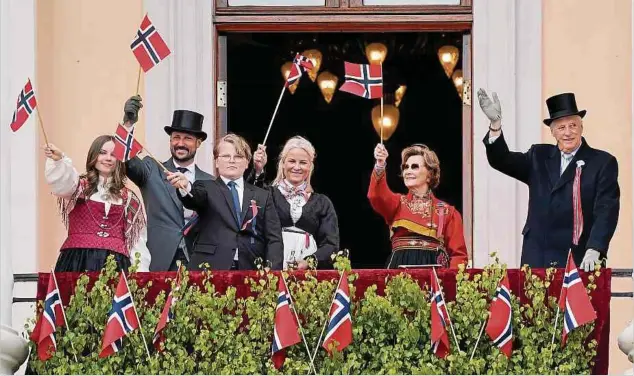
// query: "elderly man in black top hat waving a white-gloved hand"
[[573, 189]]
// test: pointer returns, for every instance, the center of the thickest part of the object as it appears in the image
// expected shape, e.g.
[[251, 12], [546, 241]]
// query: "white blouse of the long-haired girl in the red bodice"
[[63, 179]]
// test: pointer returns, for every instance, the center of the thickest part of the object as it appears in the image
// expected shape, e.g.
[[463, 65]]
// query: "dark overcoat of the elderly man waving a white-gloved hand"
[[548, 229]]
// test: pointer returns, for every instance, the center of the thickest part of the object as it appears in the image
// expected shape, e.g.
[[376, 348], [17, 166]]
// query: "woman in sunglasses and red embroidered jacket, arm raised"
[[426, 231]]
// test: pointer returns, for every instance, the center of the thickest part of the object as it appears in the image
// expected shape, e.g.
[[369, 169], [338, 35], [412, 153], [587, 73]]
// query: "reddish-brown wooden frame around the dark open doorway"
[[250, 19]]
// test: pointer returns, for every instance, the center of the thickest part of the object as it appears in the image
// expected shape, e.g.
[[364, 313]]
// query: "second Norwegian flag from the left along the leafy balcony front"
[[122, 319]]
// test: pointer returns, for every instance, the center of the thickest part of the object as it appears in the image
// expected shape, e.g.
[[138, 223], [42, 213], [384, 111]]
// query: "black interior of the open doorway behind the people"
[[342, 131]]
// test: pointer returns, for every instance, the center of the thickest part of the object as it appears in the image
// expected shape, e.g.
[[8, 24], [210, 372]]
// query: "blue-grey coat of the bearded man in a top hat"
[[164, 210]]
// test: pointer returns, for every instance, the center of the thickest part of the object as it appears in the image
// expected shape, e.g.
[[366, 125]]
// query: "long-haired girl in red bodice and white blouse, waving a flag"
[[102, 215]]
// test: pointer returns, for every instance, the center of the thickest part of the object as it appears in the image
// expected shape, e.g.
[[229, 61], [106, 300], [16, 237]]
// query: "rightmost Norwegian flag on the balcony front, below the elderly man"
[[574, 300]]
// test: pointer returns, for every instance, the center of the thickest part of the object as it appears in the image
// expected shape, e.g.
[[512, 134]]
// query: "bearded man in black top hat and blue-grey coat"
[[167, 220]]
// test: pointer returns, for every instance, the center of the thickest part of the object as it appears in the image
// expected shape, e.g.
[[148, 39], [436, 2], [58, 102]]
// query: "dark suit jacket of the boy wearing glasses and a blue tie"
[[219, 233]]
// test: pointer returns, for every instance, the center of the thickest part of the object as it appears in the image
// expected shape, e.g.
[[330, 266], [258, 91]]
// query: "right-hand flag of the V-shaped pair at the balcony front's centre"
[[340, 323]]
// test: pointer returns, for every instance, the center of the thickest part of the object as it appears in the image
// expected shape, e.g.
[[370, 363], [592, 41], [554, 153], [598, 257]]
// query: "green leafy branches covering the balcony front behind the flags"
[[209, 334]]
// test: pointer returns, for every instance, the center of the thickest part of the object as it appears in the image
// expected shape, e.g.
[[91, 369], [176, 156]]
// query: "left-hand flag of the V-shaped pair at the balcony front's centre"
[[285, 331]]
